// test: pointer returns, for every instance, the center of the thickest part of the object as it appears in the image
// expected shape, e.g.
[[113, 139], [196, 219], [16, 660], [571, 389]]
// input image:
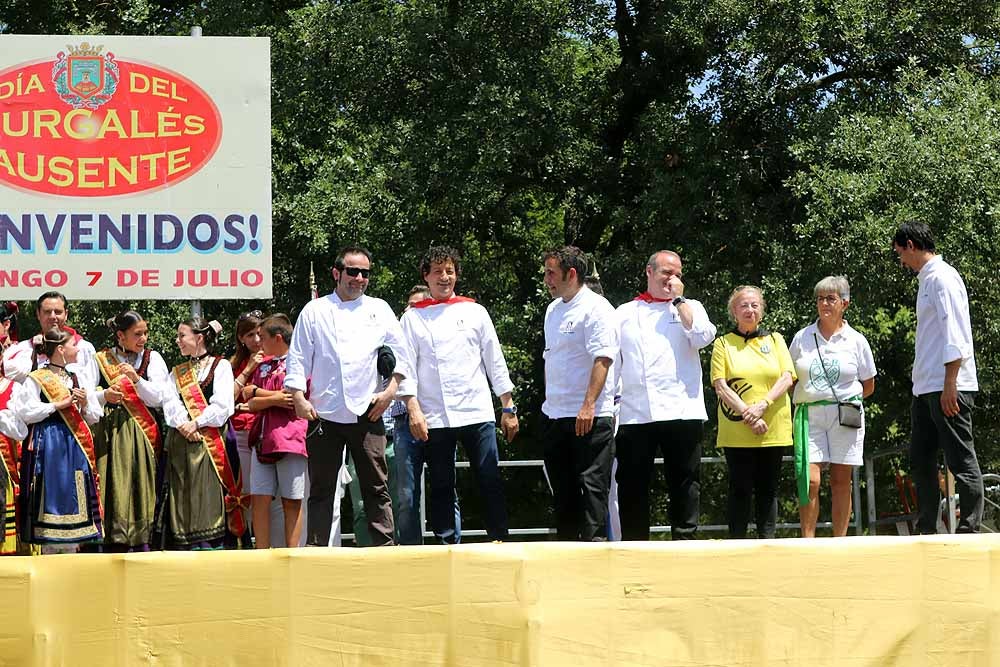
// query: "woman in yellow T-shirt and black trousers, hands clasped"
[[751, 373]]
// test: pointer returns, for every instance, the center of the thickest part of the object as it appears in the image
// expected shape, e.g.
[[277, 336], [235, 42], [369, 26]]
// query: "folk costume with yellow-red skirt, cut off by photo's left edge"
[[12, 432]]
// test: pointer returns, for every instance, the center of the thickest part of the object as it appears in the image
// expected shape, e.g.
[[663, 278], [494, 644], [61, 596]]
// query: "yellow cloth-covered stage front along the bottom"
[[846, 602]]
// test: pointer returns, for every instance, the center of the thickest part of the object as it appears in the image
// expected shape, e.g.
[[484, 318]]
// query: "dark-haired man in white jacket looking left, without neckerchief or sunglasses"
[[581, 342]]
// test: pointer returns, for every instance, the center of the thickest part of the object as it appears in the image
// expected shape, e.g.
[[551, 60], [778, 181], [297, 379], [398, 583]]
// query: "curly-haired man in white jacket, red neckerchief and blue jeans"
[[456, 356]]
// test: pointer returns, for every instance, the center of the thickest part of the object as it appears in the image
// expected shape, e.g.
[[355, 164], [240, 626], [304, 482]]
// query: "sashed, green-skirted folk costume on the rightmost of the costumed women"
[[204, 495]]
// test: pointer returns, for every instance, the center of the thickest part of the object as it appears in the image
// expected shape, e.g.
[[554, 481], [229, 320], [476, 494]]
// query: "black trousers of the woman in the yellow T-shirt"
[[753, 483]]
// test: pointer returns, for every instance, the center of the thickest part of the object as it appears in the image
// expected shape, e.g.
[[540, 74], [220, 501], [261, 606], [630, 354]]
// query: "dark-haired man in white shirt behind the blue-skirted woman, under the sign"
[[20, 359]]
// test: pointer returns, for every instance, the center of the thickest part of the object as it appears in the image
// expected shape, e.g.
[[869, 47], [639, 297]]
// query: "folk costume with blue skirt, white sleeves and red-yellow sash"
[[60, 496]]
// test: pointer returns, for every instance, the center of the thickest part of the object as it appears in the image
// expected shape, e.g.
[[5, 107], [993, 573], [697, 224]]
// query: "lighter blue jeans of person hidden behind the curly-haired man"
[[409, 468]]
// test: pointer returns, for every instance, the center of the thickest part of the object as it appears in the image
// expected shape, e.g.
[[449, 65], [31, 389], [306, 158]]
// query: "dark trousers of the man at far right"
[[953, 435]]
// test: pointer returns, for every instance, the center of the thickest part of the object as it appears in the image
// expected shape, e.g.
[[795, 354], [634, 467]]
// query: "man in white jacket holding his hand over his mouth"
[[662, 400]]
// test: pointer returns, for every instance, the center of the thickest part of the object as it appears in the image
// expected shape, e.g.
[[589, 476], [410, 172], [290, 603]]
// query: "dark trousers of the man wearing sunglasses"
[[325, 446]]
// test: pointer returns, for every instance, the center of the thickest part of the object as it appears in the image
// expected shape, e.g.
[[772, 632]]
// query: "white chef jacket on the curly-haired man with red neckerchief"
[[457, 356]]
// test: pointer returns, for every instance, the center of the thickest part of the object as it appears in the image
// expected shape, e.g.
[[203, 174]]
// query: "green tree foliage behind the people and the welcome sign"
[[768, 142]]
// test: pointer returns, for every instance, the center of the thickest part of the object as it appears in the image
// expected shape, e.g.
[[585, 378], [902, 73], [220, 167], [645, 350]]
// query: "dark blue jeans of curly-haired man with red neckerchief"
[[480, 442]]
